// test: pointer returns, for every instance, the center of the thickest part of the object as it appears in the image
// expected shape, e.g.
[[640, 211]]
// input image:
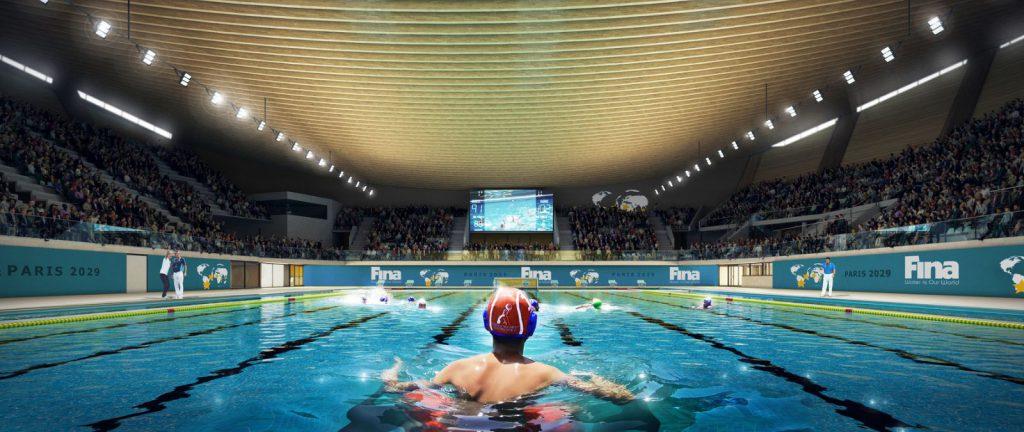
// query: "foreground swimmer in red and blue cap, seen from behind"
[[505, 374]]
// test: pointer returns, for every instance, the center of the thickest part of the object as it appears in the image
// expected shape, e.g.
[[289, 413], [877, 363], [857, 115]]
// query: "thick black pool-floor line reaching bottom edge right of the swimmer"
[[867, 416]]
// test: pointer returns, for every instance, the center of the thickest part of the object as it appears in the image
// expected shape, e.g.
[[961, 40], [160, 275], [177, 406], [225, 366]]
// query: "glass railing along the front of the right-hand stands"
[[982, 228]]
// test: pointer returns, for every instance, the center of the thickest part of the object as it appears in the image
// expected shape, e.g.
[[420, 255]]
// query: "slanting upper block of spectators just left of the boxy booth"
[[228, 196]]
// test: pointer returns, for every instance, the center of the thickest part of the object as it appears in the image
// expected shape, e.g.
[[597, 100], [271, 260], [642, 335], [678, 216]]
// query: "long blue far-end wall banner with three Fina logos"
[[484, 276]]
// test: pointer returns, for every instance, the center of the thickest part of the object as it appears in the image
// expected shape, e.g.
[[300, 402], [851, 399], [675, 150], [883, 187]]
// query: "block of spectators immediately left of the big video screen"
[[410, 233]]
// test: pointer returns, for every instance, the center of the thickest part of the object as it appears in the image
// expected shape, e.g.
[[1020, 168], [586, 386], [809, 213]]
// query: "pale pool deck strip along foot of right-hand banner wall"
[[1001, 304]]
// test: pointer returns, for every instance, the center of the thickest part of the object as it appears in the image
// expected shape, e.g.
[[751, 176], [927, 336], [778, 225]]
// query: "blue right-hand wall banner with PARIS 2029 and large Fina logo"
[[996, 272]]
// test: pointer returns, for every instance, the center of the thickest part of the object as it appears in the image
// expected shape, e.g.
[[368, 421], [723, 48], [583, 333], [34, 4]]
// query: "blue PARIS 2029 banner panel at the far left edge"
[[41, 272]]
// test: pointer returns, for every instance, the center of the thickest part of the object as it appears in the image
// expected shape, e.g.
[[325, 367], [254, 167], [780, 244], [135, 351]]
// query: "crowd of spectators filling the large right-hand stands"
[[967, 185]]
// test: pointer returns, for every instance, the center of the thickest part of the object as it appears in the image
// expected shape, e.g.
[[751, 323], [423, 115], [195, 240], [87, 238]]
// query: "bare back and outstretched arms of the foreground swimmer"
[[486, 379]]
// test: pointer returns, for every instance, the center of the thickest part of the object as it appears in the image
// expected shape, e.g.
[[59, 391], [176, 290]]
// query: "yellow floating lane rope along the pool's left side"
[[170, 310]]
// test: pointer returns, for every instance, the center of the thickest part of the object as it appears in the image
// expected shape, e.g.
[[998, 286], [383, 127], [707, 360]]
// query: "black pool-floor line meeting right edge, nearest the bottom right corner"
[[919, 359]]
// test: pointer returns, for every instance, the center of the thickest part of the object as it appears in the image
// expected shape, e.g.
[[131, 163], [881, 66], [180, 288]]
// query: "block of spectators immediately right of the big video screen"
[[608, 233]]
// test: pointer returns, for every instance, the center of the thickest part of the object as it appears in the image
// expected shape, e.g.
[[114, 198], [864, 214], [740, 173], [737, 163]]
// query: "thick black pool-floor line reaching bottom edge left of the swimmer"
[[181, 393]]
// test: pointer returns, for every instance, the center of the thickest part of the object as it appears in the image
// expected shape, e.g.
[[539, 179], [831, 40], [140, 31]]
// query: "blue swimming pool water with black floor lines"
[[314, 366]]
